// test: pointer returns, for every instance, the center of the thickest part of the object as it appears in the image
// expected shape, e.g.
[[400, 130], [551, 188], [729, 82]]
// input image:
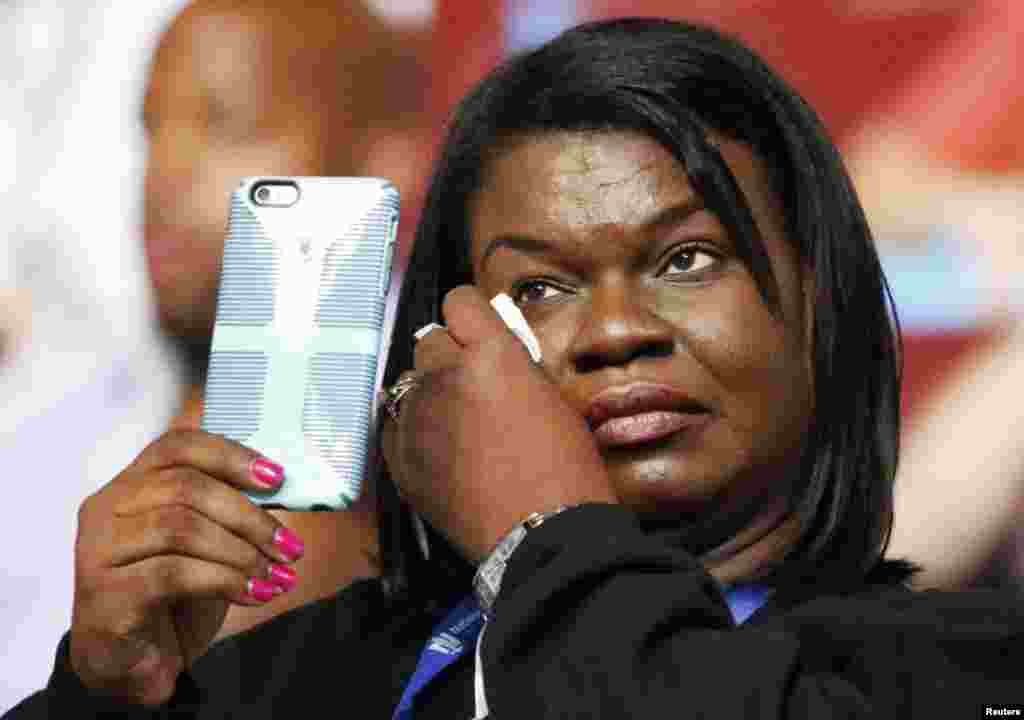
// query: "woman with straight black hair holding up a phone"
[[709, 442]]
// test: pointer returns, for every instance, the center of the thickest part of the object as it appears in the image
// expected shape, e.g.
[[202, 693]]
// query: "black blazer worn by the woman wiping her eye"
[[618, 626]]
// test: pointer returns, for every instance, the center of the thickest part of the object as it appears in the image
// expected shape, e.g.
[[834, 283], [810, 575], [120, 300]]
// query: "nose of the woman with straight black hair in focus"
[[621, 326]]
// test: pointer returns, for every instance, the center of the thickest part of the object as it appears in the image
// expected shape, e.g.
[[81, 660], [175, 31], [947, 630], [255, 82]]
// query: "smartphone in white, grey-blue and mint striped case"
[[302, 338]]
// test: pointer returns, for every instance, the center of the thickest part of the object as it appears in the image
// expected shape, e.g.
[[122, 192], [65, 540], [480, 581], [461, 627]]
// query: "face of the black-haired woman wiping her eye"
[[636, 292]]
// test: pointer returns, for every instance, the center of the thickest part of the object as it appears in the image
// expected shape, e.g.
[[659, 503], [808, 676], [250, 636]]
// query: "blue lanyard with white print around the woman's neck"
[[460, 628]]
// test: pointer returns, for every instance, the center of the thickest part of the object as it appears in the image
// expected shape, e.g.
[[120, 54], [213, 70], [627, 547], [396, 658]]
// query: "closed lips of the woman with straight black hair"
[[628, 415]]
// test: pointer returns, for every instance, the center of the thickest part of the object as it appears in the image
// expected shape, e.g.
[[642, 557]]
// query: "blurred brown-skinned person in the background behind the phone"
[[243, 88]]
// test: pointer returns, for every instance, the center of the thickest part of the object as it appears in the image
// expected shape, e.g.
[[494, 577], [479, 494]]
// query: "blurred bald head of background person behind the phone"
[[247, 91]]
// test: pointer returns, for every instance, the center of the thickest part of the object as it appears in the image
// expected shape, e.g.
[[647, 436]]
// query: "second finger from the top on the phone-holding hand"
[[183, 497]]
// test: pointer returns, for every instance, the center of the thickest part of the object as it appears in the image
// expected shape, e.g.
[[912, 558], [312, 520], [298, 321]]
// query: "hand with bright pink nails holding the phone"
[[162, 552]]
